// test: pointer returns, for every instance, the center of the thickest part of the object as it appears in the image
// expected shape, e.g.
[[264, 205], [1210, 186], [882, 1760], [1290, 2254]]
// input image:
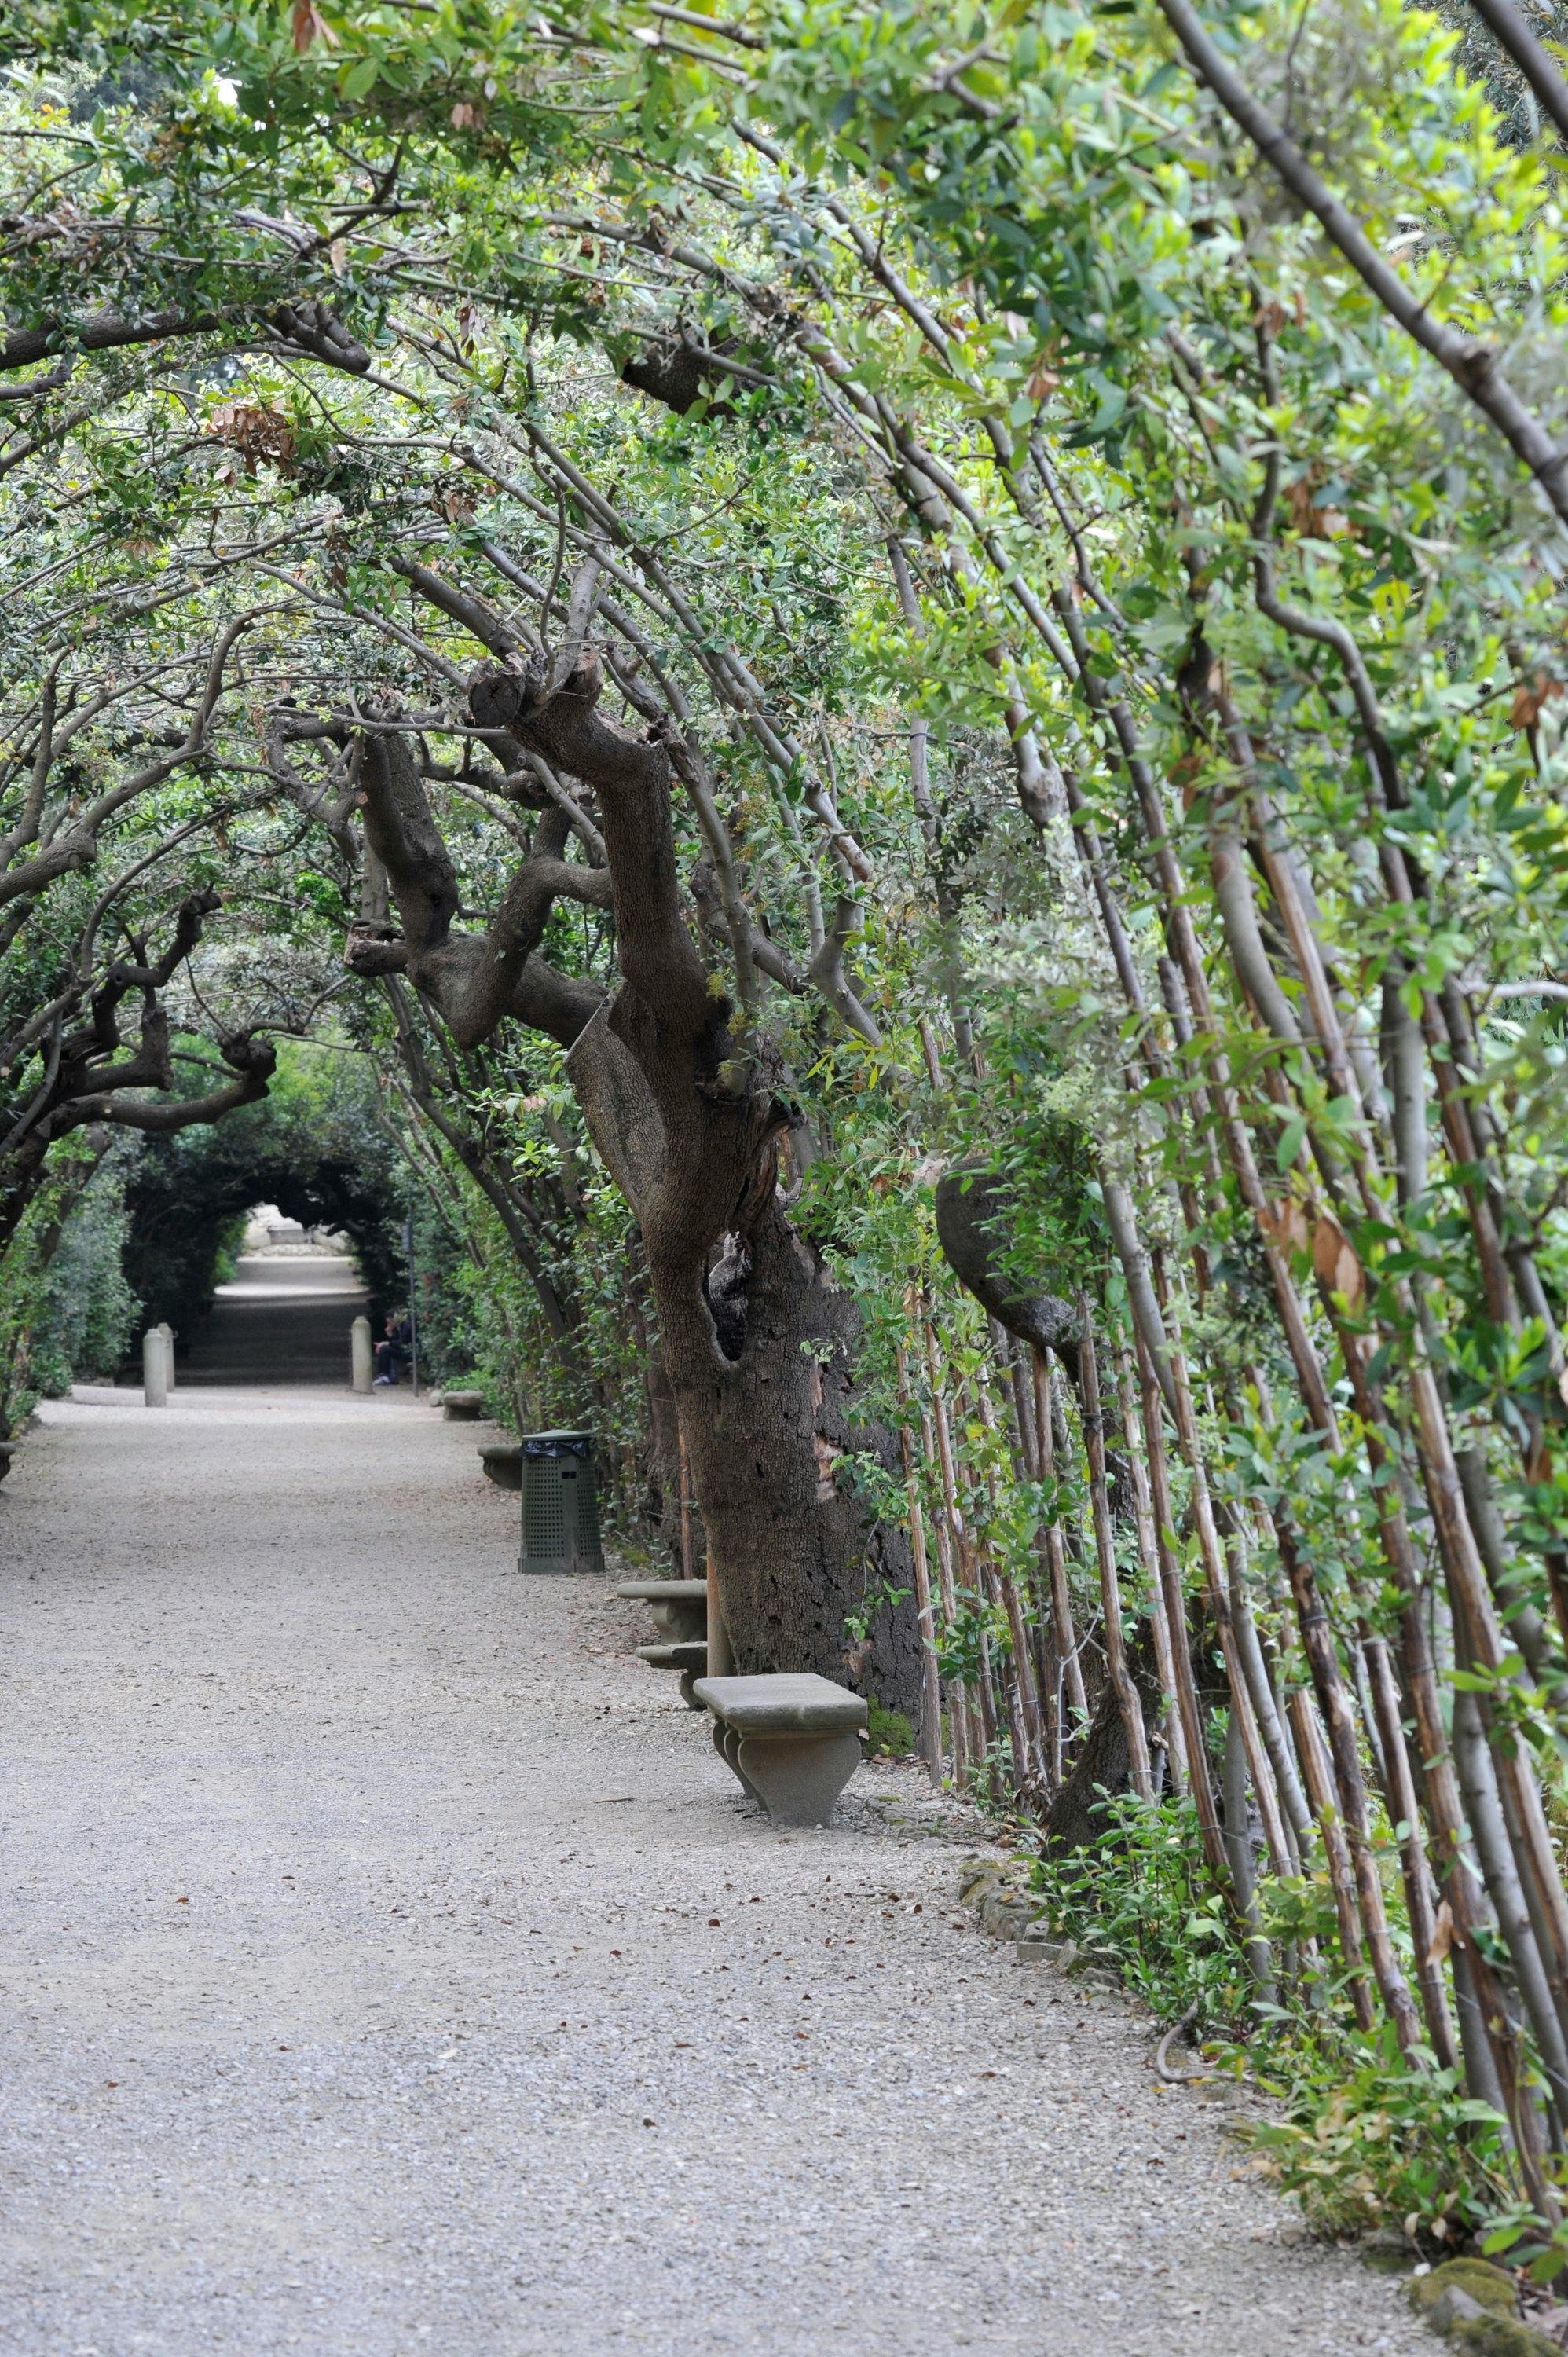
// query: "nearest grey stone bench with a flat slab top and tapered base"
[[793, 1741]]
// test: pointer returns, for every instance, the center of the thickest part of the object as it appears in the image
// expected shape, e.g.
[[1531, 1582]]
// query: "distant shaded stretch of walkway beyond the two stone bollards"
[[284, 1321]]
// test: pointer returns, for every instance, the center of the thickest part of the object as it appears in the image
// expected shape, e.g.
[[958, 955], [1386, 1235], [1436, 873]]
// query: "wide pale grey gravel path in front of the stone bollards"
[[388, 1965]]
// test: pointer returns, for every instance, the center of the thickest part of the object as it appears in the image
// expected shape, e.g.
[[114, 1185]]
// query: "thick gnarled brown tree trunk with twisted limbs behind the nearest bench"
[[680, 1104]]
